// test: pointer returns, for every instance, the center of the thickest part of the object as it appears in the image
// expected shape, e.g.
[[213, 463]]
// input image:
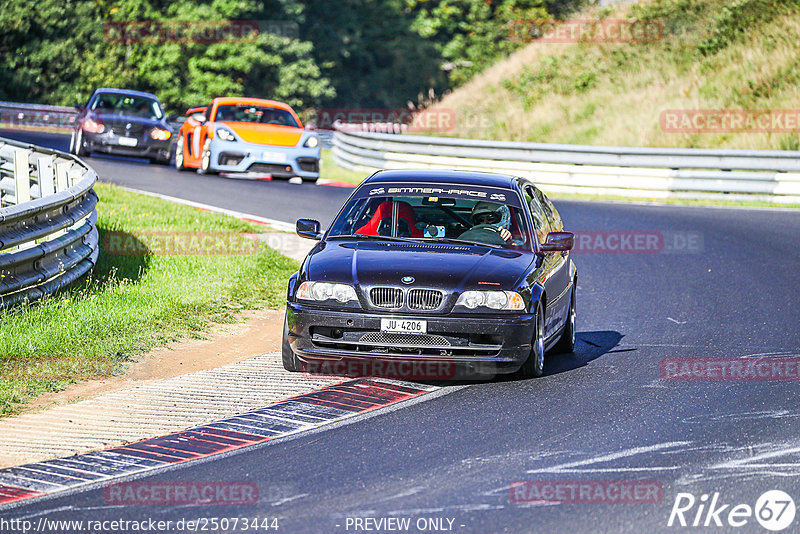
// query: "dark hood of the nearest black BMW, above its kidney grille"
[[442, 266]]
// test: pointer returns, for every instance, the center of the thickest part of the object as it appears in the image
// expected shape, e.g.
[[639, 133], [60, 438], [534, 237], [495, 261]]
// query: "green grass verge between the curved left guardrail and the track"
[[132, 303]]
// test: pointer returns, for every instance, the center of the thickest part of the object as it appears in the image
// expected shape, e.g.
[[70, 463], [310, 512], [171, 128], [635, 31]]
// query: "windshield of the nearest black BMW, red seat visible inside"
[[426, 217]]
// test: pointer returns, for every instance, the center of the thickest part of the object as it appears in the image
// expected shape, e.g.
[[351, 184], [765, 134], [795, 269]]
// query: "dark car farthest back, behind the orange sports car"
[[125, 123]]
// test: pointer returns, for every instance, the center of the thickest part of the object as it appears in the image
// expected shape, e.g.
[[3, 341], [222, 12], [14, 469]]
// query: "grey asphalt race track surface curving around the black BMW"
[[602, 413]]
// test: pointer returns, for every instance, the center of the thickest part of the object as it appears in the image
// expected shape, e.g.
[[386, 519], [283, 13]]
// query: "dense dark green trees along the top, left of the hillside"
[[366, 53]]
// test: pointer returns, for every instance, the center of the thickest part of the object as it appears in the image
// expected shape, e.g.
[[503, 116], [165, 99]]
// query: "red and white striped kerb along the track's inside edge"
[[290, 416]]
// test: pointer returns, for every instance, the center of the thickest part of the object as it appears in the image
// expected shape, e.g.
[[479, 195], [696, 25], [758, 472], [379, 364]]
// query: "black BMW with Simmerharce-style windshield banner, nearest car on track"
[[434, 270]]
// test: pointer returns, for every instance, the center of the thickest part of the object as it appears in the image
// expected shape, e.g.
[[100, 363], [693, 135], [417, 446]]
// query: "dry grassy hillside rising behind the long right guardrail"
[[714, 54]]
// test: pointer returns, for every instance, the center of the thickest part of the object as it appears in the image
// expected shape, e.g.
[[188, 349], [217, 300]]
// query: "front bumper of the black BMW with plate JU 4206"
[[484, 345]]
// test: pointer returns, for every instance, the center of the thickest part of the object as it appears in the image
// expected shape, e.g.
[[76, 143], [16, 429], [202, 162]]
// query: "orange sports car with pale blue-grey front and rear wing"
[[235, 134]]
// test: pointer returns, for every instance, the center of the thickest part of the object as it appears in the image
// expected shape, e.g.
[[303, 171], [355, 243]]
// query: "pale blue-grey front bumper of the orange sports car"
[[279, 161]]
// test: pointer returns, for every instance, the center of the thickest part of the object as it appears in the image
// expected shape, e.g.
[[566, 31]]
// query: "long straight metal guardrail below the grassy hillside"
[[771, 175]]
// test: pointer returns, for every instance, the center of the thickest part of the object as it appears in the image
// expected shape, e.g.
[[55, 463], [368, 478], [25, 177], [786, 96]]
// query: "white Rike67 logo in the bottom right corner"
[[774, 510]]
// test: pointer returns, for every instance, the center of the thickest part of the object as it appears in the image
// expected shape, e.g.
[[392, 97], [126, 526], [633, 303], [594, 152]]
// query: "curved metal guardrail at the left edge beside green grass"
[[48, 237]]
